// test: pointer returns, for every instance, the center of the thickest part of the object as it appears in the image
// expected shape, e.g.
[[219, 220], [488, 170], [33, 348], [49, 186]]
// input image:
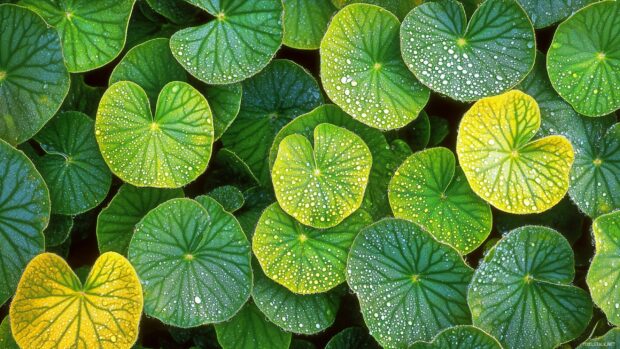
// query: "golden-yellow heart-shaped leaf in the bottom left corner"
[[52, 308]]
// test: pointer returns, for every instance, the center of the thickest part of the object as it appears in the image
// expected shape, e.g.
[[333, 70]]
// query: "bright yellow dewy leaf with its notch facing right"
[[502, 163]]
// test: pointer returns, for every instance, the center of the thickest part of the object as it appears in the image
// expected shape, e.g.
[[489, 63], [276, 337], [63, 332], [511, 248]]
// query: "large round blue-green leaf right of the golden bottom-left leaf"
[[193, 261]]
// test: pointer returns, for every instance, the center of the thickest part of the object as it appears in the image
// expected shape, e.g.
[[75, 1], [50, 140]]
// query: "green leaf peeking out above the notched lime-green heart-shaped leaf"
[[150, 65]]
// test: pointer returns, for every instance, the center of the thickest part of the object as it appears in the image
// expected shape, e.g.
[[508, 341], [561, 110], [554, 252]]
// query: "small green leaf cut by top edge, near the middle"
[[305, 22]]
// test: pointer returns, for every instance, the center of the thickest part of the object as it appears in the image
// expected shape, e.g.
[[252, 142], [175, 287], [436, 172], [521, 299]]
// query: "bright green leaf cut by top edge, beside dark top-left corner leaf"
[[93, 33]]
